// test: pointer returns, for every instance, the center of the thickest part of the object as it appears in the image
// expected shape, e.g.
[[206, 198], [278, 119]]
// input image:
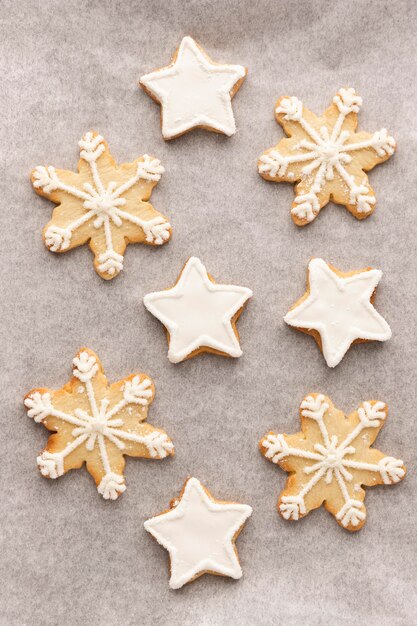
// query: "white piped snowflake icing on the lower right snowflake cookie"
[[332, 460]]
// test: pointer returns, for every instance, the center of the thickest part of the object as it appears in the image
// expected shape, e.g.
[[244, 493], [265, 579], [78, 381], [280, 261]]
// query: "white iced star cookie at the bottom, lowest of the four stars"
[[199, 533]]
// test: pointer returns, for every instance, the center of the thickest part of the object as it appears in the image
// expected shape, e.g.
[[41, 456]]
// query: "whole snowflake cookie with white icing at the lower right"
[[331, 459]]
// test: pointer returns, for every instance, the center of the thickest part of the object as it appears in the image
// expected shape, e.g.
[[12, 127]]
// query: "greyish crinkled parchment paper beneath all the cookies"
[[68, 557]]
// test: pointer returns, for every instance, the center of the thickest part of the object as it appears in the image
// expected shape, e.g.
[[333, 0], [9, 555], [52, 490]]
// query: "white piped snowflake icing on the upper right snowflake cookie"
[[326, 153]]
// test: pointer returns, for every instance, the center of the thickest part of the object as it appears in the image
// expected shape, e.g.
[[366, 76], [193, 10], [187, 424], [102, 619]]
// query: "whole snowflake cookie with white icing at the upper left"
[[103, 204]]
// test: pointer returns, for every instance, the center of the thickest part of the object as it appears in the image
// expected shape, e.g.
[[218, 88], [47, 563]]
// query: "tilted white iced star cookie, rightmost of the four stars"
[[337, 309]]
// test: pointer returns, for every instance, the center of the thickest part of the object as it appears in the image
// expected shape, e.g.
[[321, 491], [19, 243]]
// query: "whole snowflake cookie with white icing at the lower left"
[[97, 423]]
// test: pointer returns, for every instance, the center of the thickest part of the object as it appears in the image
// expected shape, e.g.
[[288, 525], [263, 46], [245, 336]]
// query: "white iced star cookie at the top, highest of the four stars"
[[194, 91]]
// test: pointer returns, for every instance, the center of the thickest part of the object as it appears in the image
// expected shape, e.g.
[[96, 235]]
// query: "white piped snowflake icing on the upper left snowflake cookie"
[[102, 205]]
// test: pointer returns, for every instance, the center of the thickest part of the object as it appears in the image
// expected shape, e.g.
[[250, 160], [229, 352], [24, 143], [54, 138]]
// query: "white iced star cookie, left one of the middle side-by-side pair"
[[198, 313]]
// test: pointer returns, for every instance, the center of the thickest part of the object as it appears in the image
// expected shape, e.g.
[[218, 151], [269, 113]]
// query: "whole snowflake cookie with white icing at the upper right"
[[325, 157]]
